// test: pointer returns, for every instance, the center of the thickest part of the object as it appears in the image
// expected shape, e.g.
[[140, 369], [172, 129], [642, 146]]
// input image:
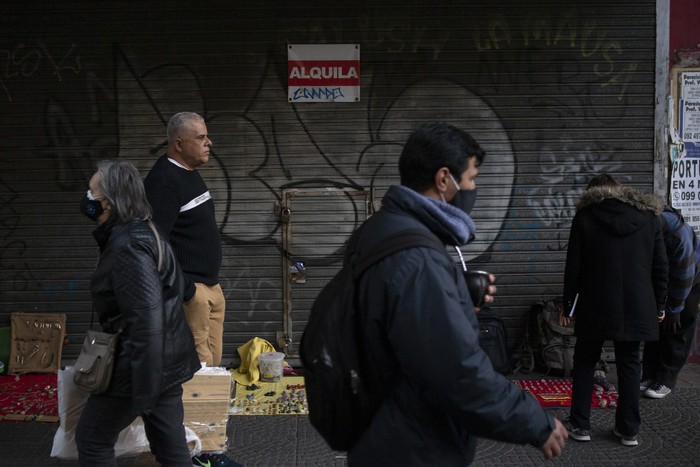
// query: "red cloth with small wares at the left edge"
[[29, 398]]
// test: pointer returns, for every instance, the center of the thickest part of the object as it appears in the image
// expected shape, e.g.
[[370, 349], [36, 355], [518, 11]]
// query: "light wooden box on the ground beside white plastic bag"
[[206, 399]]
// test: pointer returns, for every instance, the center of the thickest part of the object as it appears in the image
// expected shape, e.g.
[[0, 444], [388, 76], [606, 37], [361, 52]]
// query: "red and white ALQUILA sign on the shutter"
[[323, 72]]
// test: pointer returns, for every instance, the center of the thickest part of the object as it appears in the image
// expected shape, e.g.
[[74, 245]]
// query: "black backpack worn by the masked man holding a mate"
[[341, 403]]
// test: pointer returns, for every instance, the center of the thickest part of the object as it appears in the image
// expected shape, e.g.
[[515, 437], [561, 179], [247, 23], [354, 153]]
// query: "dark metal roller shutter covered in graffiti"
[[555, 92]]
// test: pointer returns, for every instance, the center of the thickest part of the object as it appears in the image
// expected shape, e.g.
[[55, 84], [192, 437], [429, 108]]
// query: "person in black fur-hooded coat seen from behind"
[[615, 283]]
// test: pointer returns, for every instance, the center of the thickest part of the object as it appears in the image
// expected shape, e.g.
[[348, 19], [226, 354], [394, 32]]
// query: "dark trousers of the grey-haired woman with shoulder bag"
[[104, 417]]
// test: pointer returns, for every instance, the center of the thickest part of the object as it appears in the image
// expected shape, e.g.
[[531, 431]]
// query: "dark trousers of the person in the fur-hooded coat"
[[629, 368]]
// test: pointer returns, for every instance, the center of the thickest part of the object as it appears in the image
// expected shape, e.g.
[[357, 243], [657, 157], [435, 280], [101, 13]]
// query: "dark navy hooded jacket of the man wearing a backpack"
[[422, 340]]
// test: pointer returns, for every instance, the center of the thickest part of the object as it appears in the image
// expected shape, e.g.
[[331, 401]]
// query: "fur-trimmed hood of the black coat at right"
[[622, 209]]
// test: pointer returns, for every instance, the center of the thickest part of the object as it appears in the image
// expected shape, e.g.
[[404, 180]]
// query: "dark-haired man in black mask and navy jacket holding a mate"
[[420, 329]]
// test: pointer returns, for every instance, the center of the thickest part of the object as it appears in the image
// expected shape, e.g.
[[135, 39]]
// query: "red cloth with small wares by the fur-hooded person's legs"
[[557, 392]]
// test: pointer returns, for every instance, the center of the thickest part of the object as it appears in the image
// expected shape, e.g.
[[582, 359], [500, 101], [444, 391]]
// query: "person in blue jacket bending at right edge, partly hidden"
[[663, 359]]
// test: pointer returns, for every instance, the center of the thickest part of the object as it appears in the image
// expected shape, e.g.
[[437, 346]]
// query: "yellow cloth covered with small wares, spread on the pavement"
[[284, 397]]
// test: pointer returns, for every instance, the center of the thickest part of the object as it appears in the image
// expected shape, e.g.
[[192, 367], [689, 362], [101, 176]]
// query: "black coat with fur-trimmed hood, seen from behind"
[[616, 263]]
